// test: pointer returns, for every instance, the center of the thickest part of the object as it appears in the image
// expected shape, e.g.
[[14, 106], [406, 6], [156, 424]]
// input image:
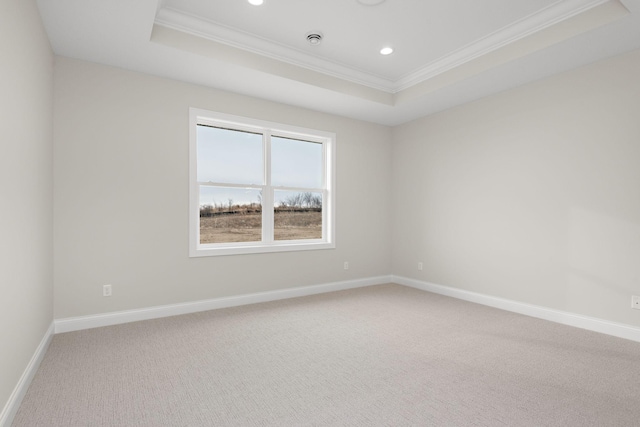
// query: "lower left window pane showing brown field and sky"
[[230, 215]]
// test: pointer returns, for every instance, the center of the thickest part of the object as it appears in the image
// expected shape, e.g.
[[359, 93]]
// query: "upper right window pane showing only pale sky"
[[296, 163]]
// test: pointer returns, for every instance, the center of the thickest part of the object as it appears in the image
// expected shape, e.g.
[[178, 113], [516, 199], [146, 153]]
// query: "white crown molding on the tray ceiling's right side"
[[534, 23]]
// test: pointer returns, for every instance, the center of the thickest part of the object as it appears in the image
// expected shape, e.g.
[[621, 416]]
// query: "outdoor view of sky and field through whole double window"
[[232, 181]]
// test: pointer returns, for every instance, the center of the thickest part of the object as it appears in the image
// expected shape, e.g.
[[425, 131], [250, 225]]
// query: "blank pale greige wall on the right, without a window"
[[531, 195]]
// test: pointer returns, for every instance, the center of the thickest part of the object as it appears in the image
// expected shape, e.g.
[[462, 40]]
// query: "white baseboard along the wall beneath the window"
[[115, 318]]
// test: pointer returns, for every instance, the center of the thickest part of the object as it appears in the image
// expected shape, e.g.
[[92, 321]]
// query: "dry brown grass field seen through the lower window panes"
[[247, 226]]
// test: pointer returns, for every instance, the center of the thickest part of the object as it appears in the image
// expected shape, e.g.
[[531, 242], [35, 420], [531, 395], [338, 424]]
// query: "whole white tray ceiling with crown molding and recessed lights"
[[447, 52]]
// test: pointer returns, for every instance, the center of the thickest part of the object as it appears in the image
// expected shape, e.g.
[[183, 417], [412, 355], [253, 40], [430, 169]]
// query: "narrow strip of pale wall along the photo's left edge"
[[26, 89]]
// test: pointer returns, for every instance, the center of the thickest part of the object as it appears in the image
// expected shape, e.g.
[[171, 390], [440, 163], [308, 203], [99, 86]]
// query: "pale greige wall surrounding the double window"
[[121, 196]]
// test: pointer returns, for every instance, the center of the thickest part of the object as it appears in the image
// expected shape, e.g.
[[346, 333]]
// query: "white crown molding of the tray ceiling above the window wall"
[[196, 26]]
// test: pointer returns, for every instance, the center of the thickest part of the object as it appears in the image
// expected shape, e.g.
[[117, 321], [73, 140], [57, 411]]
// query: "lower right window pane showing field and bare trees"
[[297, 215]]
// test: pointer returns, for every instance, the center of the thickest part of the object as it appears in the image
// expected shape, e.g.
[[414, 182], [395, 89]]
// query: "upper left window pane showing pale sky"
[[229, 156]]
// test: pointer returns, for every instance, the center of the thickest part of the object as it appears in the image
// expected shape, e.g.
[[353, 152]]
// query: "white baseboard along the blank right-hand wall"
[[566, 318]]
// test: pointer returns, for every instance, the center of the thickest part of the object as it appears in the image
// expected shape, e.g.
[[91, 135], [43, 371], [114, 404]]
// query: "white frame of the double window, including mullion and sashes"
[[267, 129]]
